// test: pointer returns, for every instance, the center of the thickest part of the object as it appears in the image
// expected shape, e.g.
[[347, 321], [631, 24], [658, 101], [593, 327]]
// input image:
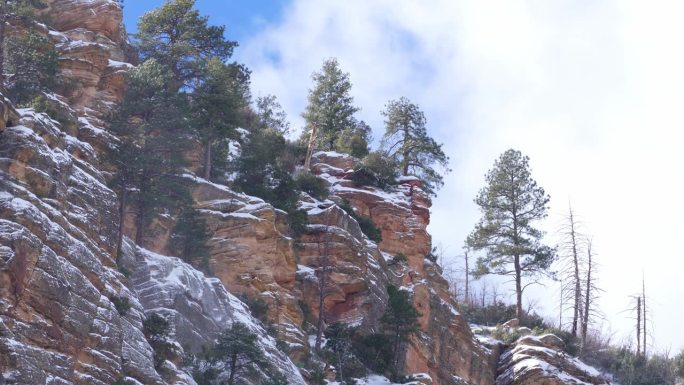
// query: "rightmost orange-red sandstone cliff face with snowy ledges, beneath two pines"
[[445, 348]]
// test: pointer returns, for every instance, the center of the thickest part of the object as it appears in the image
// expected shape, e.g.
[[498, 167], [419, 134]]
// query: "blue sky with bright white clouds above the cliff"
[[591, 91]]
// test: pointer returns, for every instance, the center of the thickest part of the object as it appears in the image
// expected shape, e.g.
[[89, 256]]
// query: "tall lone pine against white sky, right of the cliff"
[[510, 203]]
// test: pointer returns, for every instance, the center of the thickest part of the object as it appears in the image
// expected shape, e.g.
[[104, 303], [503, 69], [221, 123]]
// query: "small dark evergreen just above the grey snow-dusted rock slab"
[[189, 239]]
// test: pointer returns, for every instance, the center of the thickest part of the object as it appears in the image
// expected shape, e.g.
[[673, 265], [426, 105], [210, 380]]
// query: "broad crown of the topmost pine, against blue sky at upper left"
[[179, 38]]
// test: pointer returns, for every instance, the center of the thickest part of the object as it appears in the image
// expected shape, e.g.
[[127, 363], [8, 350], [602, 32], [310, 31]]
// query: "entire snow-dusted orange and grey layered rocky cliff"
[[60, 284]]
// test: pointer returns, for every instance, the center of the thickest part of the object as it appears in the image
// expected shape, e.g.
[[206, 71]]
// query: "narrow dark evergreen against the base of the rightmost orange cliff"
[[400, 318]]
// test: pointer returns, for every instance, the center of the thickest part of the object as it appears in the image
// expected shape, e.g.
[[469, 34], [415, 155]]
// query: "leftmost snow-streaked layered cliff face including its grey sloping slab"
[[58, 277]]
